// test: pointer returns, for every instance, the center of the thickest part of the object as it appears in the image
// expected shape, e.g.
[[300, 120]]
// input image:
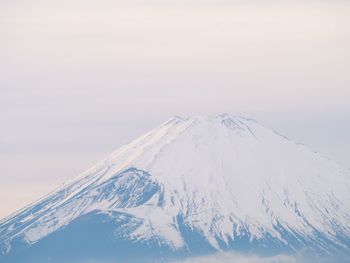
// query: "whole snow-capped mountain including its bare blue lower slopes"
[[190, 187]]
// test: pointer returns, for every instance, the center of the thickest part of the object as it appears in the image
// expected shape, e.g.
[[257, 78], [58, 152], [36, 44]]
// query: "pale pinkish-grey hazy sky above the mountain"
[[80, 78]]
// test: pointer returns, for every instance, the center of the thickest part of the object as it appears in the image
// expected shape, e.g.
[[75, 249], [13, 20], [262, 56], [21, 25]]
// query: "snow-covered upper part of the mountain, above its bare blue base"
[[225, 177]]
